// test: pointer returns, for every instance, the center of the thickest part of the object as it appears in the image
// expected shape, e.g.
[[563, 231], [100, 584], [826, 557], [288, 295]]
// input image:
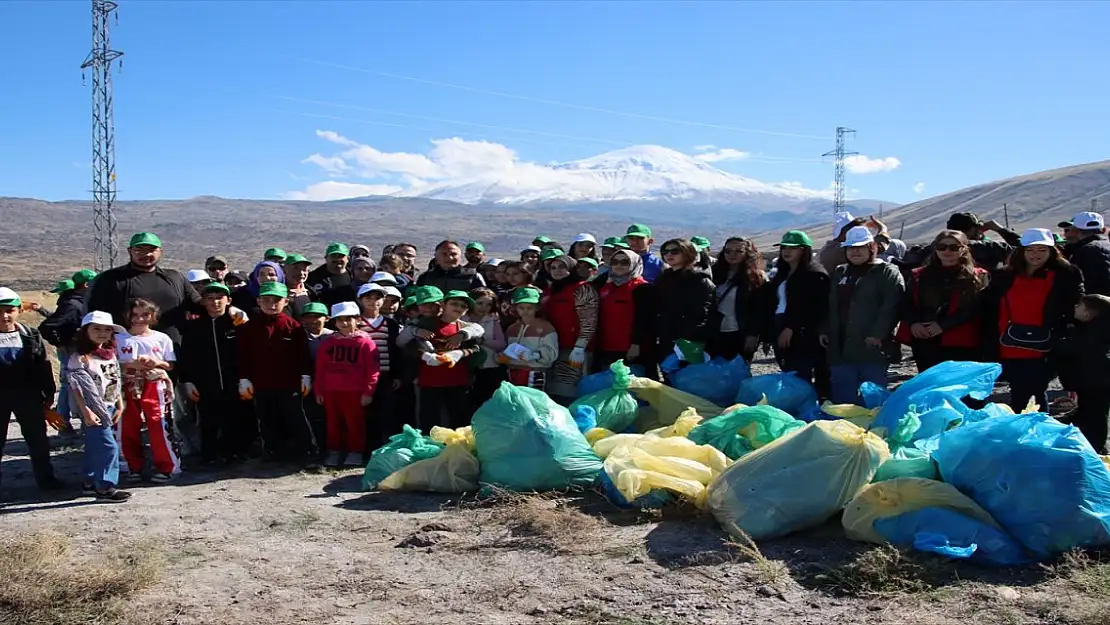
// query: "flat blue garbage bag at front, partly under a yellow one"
[[952, 535]]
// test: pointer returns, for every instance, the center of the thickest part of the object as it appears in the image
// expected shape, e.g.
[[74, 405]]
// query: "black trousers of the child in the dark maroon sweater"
[[284, 427]]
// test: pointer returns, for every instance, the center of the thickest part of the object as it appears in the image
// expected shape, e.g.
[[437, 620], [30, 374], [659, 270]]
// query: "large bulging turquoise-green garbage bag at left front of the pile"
[[527, 442]]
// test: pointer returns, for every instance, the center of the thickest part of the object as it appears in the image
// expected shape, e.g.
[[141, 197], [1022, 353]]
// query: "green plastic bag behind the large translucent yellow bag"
[[745, 430]]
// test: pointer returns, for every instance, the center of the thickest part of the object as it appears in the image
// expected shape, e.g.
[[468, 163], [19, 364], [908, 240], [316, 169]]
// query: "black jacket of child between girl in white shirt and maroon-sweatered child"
[[208, 356]]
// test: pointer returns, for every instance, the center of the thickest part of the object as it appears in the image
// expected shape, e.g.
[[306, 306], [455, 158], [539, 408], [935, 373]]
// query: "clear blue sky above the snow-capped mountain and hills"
[[227, 98]]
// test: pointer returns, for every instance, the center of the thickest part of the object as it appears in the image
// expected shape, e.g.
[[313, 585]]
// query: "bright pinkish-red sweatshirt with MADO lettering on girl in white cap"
[[348, 365]]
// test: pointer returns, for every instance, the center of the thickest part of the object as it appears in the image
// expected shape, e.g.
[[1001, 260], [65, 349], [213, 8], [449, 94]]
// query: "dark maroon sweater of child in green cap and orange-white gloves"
[[274, 352]]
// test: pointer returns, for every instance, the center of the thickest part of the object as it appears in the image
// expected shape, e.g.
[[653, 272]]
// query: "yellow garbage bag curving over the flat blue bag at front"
[[899, 497]]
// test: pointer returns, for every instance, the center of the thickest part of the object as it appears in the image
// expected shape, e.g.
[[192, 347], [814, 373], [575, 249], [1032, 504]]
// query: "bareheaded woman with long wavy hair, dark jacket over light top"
[[736, 321]]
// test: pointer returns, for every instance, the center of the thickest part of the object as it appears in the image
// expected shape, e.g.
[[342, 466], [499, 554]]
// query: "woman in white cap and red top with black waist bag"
[[1034, 297]]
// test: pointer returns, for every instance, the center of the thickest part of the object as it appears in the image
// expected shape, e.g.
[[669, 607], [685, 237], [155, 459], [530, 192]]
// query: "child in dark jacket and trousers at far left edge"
[[27, 388]]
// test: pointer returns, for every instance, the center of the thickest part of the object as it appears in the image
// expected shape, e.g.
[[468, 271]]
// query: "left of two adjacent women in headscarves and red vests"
[[571, 306]]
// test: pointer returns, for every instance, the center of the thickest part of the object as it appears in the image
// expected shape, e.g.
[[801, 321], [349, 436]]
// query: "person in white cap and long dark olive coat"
[[864, 307]]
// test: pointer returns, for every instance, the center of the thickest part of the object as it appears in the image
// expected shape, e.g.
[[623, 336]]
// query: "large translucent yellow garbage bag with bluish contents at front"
[[798, 481]]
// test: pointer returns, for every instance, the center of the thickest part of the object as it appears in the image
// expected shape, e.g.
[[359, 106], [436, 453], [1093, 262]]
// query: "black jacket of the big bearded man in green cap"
[[168, 289]]
